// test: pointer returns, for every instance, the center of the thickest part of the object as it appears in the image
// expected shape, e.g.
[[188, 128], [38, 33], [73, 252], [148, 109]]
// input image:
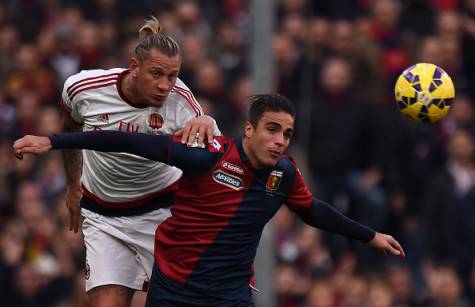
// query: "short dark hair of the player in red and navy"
[[259, 104]]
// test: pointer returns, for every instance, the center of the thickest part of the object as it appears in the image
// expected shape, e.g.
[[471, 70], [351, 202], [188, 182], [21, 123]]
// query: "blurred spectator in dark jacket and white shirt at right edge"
[[448, 206]]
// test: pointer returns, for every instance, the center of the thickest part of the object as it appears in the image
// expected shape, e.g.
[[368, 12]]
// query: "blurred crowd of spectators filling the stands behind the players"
[[338, 61]]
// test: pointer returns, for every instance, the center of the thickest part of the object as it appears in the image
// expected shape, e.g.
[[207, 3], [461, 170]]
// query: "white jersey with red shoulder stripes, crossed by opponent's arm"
[[94, 99]]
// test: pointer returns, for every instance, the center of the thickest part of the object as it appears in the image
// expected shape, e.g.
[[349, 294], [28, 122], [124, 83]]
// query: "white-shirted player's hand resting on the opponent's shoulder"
[[196, 130]]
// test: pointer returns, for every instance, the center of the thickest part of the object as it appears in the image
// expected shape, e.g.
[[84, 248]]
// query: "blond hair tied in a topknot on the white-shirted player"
[[152, 36]]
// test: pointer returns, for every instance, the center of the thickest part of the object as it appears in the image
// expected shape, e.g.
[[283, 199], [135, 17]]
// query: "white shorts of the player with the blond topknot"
[[119, 250]]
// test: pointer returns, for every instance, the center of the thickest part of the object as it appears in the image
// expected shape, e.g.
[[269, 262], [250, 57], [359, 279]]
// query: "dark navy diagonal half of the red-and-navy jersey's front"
[[225, 269]]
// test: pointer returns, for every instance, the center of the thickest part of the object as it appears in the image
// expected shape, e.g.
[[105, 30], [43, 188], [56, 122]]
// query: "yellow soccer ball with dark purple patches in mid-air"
[[424, 93]]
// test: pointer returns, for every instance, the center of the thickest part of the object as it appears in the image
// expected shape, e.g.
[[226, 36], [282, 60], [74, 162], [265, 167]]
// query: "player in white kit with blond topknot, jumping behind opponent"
[[122, 197]]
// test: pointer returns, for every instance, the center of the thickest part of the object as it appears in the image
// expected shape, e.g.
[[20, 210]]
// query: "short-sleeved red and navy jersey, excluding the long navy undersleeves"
[[210, 241]]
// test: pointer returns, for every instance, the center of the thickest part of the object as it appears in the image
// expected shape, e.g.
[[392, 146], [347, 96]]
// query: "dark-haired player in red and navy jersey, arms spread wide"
[[229, 191]]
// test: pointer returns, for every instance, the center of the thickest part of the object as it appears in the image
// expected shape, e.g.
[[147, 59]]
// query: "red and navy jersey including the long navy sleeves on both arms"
[[221, 206]]
